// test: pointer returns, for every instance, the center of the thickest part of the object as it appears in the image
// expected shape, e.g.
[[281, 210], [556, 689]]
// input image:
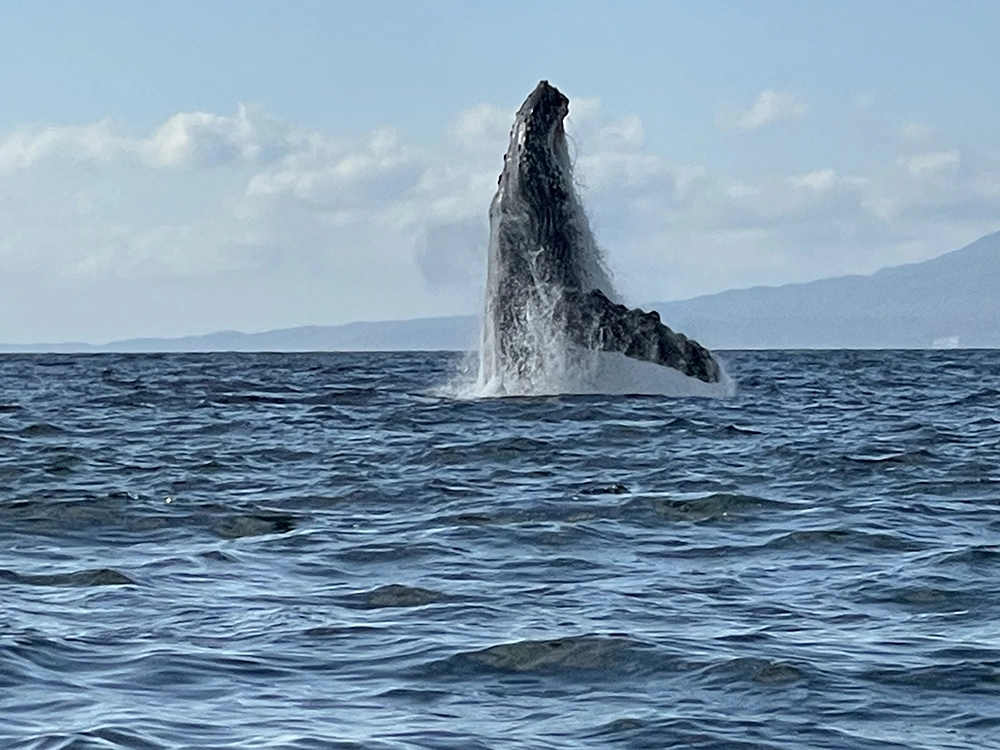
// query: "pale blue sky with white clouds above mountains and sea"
[[179, 168]]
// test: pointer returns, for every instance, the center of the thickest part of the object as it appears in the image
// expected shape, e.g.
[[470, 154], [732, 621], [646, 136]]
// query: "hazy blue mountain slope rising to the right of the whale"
[[951, 300]]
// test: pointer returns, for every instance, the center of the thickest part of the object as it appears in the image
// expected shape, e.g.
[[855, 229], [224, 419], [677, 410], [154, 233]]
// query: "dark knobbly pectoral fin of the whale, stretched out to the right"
[[595, 322]]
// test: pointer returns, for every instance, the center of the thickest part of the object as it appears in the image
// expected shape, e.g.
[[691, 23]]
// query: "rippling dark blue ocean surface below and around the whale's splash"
[[316, 551]]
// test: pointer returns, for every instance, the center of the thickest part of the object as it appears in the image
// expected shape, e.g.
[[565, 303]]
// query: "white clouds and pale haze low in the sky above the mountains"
[[246, 221]]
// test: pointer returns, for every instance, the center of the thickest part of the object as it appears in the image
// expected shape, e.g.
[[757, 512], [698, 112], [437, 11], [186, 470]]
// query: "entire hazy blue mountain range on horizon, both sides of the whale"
[[951, 300]]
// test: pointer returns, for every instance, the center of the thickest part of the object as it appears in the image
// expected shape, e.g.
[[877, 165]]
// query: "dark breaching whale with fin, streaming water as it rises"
[[550, 304]]
